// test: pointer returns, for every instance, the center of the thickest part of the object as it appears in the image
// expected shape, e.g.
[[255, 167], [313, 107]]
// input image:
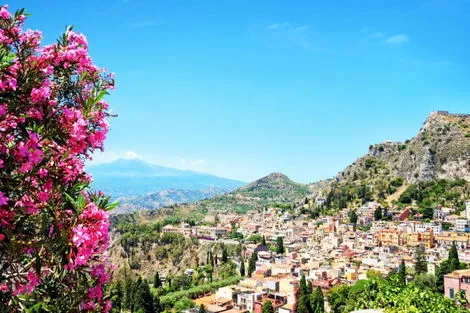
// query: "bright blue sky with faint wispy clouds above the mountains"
[[244, 88]]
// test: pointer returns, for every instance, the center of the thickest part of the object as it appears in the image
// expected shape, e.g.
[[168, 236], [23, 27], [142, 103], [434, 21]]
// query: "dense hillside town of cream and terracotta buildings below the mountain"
[[329, 251]]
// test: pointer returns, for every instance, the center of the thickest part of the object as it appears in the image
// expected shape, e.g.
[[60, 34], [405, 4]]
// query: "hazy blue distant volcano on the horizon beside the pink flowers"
[[133, 177]]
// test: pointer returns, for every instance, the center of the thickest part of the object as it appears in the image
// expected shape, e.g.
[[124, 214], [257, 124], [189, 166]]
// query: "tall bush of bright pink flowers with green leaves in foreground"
[[53, 230]]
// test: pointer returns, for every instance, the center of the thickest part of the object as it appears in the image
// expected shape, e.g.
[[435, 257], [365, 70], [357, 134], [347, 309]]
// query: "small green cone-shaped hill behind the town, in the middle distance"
[[276, 189]]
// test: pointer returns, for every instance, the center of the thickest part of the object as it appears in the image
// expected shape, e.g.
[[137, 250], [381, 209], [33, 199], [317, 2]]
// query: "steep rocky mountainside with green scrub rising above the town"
[[439, 151]]
